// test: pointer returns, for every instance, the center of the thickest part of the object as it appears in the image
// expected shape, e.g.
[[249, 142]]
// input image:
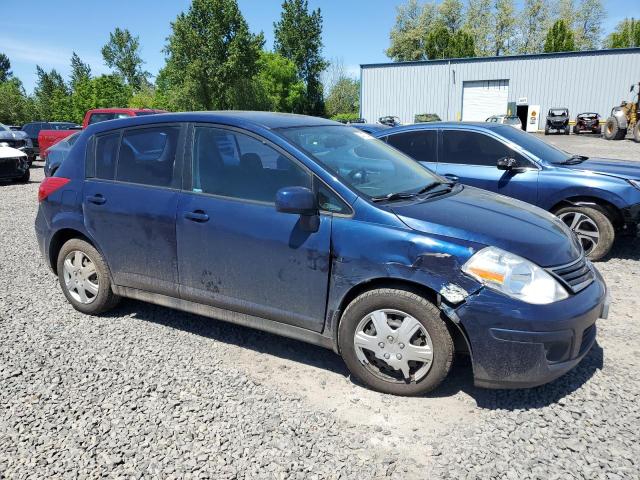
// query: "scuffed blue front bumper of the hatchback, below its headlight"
[[519, 345]]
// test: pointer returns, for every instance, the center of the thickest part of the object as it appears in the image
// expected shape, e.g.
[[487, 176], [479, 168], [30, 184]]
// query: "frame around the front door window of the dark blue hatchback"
[[187, 186]]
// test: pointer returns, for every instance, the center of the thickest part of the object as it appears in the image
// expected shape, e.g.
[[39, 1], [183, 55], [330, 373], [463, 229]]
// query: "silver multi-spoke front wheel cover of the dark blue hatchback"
[[393, 346]]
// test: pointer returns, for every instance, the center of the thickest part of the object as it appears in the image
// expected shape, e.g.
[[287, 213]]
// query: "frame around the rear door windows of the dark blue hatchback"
[[177, 179]]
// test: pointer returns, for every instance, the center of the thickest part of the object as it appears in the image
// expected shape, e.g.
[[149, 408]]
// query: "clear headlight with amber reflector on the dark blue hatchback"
[[514, 276]]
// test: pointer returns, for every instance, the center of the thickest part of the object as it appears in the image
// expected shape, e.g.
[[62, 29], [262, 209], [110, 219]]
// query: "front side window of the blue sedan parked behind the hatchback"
[[472, 148]]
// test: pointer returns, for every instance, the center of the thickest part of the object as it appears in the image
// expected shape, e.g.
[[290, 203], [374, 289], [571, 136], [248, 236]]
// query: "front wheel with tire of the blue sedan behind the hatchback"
[[592, 226]]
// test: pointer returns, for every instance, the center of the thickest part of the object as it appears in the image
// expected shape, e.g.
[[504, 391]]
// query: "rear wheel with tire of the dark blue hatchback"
[[84, 278]]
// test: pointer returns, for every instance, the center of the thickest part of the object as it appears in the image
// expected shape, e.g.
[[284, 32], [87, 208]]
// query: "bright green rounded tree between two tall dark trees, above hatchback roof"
[[277, 85]]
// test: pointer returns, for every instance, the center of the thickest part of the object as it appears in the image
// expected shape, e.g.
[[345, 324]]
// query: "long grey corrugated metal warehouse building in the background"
[[472, 89]]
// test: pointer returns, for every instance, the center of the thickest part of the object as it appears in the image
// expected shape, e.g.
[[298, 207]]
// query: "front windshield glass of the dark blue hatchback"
[[367, 164]]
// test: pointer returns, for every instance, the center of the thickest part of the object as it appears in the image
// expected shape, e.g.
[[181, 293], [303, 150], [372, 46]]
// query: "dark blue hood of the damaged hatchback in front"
[[489, 219]]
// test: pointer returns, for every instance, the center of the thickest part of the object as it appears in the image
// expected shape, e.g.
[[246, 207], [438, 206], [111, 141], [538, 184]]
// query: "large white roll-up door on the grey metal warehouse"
[[484, 98]]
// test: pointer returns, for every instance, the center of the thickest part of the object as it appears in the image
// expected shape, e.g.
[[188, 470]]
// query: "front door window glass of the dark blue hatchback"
[[235, 165]]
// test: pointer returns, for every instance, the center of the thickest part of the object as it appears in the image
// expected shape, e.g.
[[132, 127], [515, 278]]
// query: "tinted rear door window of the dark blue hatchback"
[[147, 156]]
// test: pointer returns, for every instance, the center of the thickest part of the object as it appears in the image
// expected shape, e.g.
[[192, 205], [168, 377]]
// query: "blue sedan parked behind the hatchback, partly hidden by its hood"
[[597, 198]]
